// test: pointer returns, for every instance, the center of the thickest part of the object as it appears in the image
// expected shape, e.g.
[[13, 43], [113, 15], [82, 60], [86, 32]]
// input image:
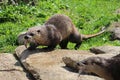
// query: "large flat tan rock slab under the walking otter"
[[48, 65]]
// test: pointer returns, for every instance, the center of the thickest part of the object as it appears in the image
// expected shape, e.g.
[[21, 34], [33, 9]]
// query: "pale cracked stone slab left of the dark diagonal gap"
[[10, 69]]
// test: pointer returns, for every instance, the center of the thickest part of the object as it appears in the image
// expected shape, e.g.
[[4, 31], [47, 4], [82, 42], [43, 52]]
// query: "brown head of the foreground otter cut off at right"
[[92, 65]]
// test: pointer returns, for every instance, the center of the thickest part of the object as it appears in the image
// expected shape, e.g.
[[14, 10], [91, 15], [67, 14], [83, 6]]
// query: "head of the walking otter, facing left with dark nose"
[[36, 36]]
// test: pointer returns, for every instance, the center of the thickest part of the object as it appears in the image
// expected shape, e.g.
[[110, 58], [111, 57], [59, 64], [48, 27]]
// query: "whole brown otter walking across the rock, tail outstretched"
[[59, 29]]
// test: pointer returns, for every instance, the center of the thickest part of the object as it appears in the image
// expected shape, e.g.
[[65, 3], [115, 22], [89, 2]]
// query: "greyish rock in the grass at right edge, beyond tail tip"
[[114, 29]]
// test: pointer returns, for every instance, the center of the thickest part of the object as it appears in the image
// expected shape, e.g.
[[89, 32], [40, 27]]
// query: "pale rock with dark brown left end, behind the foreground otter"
[[106, 49]]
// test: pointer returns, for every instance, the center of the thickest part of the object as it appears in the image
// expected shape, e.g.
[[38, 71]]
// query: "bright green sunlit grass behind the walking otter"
[[88, 16]]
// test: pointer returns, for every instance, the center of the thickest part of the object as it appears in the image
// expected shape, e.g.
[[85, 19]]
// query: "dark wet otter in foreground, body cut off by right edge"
[[109, 69]]
